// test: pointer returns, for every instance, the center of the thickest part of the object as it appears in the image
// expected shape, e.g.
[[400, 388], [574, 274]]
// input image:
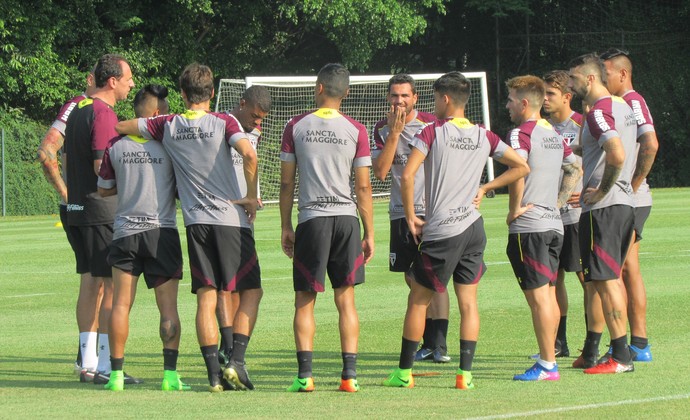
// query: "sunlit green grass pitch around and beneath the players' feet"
[[38, 338]]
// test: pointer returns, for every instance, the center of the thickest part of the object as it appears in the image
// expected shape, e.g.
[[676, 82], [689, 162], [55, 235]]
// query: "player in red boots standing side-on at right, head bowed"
[[606, 223]]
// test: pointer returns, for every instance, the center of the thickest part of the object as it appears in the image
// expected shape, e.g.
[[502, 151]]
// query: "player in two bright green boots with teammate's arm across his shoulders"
[[145, 237]]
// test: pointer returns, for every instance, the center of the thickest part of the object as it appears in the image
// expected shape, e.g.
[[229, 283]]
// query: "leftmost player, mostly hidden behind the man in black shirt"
[[47, 156]]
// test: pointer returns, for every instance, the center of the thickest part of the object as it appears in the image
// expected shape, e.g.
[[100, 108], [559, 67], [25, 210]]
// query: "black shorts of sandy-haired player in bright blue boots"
[[534, 257]]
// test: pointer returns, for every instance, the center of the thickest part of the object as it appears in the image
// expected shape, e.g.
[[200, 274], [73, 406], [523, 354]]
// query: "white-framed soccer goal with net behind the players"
[[366, 103]]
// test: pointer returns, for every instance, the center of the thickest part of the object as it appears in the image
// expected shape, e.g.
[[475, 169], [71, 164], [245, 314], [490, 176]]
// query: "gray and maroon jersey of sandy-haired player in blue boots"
[[546, 152]]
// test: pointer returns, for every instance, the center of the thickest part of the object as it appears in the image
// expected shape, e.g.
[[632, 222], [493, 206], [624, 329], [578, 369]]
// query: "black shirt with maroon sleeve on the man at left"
[[90, 128]]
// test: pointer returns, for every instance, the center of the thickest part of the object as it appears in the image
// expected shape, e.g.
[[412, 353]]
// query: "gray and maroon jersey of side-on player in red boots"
[[609, 117]]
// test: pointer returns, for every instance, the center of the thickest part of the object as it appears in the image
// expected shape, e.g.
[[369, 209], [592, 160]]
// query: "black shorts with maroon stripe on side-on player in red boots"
[[605, 236]]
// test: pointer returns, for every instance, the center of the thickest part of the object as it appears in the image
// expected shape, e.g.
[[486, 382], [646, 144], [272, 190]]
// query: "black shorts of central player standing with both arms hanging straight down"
[[332, 245]]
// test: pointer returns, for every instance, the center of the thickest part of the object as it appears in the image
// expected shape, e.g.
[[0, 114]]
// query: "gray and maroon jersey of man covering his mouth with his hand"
[[402, 152]]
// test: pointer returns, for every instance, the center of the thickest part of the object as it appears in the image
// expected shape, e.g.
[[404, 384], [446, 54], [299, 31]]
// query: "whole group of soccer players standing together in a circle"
[[121, 180]]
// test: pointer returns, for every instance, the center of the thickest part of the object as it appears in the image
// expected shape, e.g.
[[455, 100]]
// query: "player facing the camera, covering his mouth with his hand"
[[391, 148]]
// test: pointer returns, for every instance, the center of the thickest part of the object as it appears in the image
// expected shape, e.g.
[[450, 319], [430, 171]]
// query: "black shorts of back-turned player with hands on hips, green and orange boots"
[[461, 256]]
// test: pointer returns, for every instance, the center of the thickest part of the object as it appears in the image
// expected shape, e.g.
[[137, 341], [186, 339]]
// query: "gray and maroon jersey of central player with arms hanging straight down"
[[327, 146]]
